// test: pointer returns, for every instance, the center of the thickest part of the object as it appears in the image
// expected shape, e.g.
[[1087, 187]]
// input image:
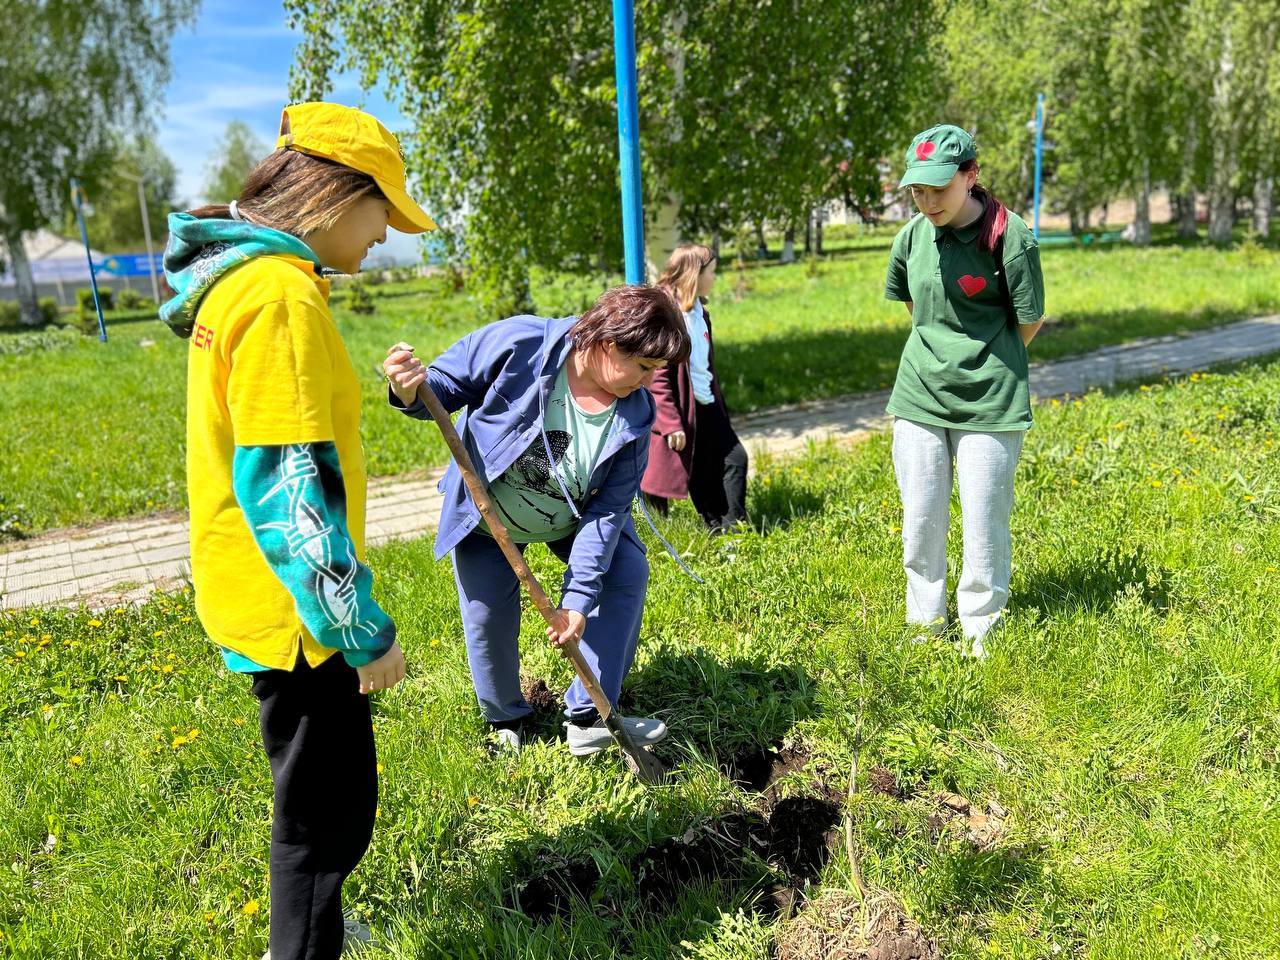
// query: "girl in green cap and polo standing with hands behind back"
[[970, 273]]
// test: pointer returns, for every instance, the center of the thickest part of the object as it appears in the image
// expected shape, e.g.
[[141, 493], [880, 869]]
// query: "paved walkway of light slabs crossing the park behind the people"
[[125, 563]]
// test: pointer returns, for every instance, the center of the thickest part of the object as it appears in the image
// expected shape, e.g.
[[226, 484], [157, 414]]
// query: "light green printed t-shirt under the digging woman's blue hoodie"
[[527, 496]]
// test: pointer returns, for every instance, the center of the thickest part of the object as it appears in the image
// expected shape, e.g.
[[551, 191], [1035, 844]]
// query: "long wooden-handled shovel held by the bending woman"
[[638, 761]]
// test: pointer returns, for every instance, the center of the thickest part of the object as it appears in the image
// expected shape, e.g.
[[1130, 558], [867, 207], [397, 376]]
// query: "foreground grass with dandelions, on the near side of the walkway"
[[1128, 720]]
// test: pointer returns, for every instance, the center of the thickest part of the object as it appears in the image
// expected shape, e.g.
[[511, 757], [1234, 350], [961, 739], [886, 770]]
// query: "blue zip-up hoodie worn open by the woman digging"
[[504, 376]]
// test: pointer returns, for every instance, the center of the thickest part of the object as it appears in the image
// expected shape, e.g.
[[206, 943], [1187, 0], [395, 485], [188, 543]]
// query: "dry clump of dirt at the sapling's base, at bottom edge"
[[833, 929]]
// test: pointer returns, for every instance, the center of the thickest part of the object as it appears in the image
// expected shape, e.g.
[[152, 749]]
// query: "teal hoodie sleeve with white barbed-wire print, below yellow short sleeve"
[[296, 506]]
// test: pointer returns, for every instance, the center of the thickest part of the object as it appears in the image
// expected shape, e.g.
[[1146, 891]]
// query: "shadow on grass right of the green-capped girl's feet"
[[1096, 583]]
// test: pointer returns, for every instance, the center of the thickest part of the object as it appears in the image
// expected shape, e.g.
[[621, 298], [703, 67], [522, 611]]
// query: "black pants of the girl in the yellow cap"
[[319, 737]]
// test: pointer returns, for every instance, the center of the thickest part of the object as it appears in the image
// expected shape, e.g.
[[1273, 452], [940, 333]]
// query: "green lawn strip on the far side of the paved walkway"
[[93, 432]]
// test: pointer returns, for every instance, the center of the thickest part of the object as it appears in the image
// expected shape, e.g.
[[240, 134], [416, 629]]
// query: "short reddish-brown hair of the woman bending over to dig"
[[642, 322]]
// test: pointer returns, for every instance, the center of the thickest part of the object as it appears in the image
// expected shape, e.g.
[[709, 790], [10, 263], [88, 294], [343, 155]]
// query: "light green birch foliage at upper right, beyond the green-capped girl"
[[1140, 94]]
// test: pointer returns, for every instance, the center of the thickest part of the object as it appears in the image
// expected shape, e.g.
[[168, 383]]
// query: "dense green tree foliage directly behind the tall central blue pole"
[[747, 112]]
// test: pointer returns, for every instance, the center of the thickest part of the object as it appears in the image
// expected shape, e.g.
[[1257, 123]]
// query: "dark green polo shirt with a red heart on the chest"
[[964, 364]]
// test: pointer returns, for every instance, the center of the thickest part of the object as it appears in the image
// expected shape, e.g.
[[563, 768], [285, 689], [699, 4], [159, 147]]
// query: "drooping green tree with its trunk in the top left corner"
[[75, 74]]
